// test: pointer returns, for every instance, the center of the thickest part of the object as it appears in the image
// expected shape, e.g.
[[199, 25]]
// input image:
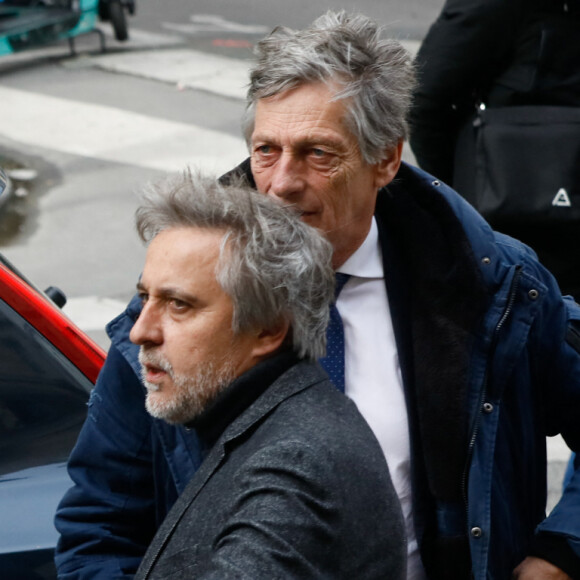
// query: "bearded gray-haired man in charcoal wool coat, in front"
[[235, 298]]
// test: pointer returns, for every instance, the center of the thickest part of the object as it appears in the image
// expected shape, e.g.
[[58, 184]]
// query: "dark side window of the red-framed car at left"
[[42, 397]]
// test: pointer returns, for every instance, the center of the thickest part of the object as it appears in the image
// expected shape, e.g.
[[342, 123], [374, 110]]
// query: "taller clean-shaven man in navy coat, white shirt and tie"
[[459, 349]]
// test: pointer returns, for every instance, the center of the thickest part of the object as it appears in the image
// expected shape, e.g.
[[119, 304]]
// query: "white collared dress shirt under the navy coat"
[[372, 373]]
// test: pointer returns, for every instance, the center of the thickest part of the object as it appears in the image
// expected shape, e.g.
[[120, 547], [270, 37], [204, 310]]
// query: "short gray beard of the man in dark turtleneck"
[[192, 393]]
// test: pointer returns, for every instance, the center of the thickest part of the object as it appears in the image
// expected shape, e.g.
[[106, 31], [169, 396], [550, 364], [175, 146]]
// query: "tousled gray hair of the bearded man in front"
[[273, 266]]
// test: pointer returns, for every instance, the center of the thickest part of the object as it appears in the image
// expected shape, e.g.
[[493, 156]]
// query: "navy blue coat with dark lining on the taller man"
[[489, 352]]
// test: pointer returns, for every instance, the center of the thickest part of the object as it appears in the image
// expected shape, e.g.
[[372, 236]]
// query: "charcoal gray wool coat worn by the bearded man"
[[296, 486]]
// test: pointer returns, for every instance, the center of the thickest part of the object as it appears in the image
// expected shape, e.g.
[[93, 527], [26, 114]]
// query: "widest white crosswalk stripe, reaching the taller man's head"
[[111, 134]]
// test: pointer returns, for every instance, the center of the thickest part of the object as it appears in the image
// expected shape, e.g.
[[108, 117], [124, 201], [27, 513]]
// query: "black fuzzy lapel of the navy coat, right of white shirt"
[[445, 304]]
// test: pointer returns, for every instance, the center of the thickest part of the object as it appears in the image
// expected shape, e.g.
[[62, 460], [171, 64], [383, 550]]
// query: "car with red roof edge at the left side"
[[47, 368]]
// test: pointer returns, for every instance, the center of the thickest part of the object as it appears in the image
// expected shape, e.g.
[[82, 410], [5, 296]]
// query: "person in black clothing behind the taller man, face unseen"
[[501, 53]]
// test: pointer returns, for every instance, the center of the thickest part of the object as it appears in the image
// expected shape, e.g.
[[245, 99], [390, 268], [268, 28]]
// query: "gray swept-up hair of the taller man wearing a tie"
[[375, 75]]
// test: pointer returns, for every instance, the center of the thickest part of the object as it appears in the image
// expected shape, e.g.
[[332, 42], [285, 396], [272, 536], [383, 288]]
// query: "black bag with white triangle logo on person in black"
[[521, 164]]
